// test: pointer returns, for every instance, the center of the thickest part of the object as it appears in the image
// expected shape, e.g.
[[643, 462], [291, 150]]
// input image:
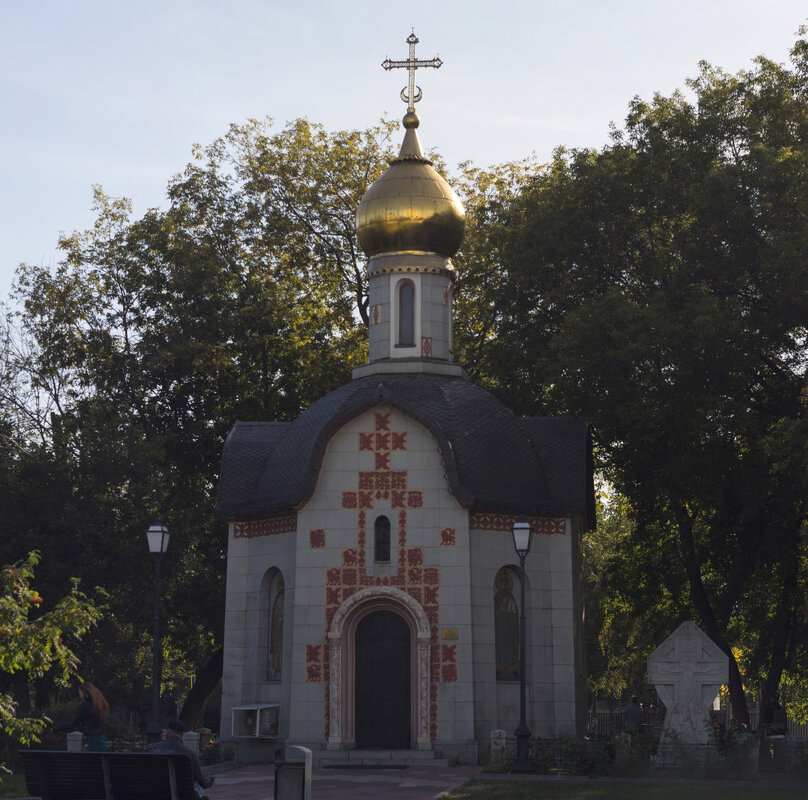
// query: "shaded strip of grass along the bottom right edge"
[[540, 790]]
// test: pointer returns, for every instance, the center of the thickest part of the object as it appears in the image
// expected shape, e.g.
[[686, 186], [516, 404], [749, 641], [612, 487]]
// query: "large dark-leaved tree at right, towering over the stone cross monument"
[[658, 288]]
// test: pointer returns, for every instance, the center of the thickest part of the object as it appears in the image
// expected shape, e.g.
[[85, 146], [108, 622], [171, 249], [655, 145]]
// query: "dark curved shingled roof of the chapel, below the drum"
[[494, 461]]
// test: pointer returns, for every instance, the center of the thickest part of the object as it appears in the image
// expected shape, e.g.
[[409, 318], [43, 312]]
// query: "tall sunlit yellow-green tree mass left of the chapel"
[[243, 300]]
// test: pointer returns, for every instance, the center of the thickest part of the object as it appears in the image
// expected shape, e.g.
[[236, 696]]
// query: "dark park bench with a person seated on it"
[[59, 775]]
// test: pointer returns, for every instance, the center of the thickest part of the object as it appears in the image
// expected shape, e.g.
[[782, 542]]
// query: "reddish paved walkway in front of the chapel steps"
[[413, 783]]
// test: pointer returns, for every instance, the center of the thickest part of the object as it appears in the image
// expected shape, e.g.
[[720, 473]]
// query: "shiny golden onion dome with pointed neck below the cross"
[[411, 208]]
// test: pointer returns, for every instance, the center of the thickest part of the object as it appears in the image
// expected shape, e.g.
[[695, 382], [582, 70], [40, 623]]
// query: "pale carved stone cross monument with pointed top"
[[688, 670]]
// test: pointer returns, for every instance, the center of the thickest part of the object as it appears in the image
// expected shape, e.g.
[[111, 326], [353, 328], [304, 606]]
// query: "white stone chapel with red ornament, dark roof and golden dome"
[[372, 583]]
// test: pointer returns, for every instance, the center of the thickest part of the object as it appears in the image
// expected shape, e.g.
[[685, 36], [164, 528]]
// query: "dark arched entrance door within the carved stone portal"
[[382, 682]]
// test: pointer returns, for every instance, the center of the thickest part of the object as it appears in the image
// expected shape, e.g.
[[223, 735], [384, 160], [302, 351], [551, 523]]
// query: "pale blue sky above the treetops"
[[116, 93]]
